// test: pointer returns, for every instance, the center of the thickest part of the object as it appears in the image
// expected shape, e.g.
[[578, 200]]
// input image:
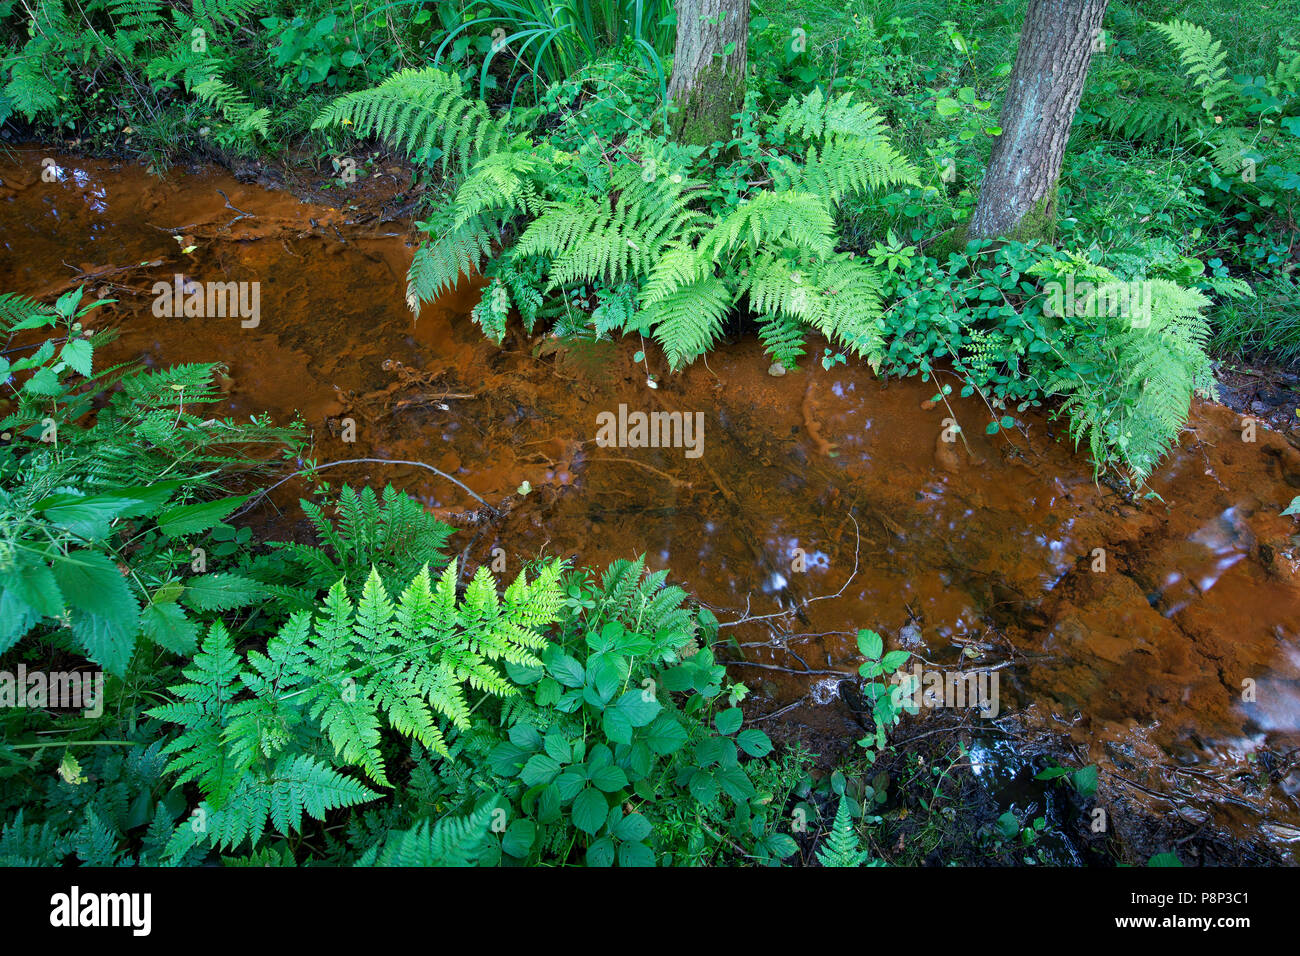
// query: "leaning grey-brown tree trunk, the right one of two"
[[1019, 194]]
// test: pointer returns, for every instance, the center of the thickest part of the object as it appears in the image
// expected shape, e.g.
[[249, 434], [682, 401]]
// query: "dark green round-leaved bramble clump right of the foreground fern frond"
[[625, 746]]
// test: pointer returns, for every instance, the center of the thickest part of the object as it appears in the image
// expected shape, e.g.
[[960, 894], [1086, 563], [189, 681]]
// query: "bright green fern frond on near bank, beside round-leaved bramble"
[[265, 736]]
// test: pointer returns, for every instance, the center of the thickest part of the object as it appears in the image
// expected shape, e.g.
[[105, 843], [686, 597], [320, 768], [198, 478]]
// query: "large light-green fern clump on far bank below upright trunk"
[[643, 220]]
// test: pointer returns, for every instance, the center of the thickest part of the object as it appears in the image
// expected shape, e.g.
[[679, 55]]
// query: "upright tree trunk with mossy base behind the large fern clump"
[[708, 83]]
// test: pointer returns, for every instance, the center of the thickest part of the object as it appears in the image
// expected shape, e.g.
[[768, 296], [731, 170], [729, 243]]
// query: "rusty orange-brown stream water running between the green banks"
[[977, 553]]
